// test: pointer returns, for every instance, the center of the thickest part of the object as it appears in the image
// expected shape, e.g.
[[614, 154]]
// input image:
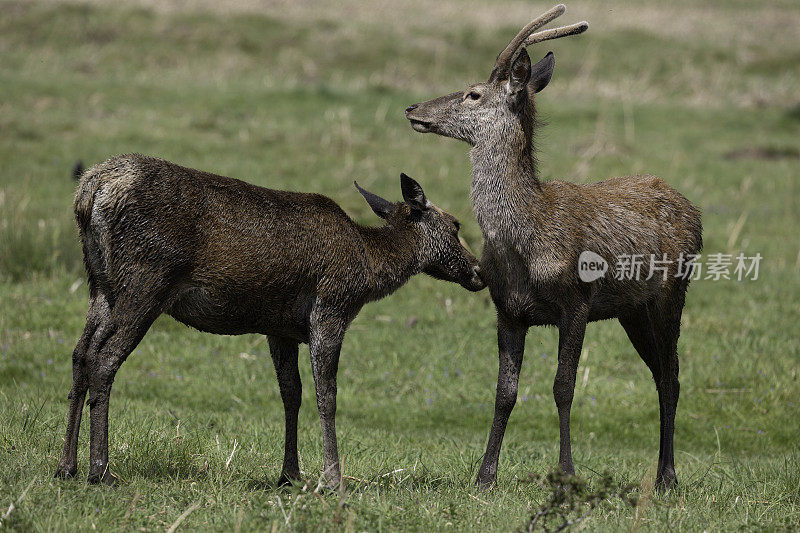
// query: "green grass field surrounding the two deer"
[[297, 96]]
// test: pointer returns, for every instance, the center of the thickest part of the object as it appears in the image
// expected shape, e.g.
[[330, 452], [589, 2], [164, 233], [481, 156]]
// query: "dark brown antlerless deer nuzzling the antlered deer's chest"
[[227, 257]]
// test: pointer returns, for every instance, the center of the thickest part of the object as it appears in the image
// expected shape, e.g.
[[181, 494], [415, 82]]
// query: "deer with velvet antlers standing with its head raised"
[[535, 231]]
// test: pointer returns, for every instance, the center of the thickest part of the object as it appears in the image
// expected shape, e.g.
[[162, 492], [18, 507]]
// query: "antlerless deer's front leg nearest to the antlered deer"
[[326, 344]]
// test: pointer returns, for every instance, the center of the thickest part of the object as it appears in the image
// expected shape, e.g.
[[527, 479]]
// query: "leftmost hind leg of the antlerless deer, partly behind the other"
[[98, 312]]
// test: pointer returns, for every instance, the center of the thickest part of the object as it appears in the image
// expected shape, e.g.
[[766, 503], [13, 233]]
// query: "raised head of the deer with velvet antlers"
[[503, 105]]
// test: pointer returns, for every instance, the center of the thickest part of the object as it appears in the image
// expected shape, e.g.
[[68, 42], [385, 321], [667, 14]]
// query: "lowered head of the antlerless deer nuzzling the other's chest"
[[440, 251]]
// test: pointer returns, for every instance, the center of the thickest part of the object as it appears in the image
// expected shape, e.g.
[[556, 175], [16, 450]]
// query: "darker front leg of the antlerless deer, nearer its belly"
[[284, 357]]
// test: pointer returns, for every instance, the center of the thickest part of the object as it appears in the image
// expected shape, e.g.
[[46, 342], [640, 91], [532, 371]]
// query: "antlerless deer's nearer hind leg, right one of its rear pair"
[[131, 317]]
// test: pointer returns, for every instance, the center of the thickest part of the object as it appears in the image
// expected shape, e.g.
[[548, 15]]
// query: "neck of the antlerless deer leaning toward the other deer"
[[392, 258]]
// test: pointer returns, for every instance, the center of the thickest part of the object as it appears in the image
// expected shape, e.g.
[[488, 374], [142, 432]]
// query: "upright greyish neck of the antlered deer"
[[504, 184]]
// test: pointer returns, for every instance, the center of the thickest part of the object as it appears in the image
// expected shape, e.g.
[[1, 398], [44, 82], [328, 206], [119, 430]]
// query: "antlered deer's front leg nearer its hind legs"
[[570, 341]]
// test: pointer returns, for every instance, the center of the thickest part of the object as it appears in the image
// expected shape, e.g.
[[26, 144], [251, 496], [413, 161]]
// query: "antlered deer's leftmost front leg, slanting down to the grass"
[[511, 347]]
